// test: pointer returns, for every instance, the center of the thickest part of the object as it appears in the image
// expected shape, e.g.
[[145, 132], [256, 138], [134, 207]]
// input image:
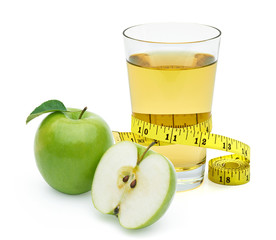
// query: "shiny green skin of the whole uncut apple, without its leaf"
[[68, 149]]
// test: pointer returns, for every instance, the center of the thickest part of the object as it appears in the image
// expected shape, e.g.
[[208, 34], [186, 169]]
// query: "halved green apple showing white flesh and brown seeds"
[[133, 183]]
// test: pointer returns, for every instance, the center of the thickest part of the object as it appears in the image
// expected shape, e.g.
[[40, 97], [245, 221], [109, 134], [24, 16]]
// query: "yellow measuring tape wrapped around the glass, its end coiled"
[[231, 169]]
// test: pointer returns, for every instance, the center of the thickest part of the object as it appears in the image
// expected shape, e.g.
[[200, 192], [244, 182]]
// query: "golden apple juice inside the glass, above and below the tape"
[[173, 89]]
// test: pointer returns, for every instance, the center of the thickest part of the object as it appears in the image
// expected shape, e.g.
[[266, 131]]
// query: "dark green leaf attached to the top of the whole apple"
[[46, 107]]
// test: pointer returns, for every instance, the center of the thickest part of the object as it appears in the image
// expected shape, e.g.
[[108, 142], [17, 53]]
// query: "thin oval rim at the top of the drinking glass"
[[180, 42]]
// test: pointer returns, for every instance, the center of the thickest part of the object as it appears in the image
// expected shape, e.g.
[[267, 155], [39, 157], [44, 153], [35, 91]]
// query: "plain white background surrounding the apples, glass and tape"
[[73, 51]]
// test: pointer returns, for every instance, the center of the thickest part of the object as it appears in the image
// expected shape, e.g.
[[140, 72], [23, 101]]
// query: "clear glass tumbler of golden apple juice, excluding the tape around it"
[[171, 72]]
